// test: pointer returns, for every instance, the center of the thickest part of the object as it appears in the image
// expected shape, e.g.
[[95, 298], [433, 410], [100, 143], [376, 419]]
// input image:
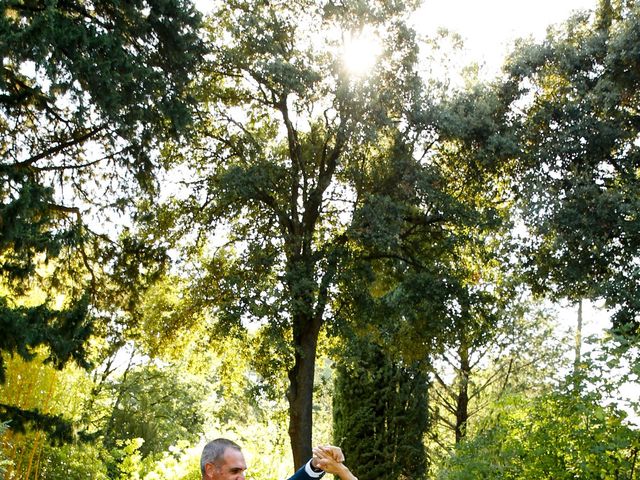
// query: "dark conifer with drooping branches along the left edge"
[[88, 91]]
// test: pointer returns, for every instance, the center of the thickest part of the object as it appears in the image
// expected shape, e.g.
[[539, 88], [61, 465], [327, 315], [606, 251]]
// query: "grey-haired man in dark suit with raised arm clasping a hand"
[[222, 459]]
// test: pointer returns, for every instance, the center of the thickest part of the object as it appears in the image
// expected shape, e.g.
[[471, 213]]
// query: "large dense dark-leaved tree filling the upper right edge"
[[577, 180]]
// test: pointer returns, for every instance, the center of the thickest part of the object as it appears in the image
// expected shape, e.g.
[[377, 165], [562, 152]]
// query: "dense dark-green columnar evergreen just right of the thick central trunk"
[[380, 413]]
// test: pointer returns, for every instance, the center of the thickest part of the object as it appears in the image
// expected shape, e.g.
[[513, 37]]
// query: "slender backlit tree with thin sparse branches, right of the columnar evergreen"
[[485, 363]]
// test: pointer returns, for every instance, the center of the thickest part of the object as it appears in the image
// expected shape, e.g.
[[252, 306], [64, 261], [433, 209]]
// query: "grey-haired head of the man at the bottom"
[[222, 459]]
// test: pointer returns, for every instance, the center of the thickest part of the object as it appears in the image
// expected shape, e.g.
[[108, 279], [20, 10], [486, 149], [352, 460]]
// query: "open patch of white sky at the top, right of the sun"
[[489, 27]]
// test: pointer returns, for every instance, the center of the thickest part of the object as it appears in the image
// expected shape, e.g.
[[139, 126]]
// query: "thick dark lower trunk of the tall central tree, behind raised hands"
[[300, 394]]
